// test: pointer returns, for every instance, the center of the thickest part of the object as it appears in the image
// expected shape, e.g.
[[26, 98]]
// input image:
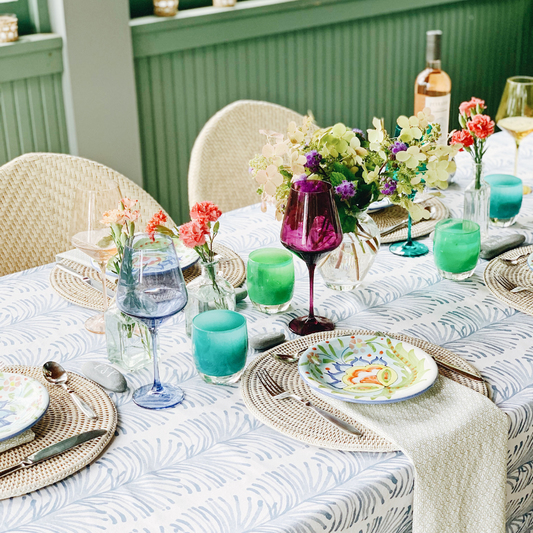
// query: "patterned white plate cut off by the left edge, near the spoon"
[[23, 401]]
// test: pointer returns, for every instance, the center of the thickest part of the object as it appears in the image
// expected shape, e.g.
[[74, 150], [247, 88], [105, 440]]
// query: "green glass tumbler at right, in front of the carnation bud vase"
[[456, 248]]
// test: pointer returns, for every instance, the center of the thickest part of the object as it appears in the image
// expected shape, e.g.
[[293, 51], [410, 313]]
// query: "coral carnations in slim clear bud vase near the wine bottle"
[[476, 129]]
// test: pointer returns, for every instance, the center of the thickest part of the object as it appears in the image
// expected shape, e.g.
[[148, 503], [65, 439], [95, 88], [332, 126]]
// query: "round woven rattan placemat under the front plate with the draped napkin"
[[295, 420]]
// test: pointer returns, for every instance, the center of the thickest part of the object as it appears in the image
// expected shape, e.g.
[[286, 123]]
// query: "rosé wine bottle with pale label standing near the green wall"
[[433, 86]]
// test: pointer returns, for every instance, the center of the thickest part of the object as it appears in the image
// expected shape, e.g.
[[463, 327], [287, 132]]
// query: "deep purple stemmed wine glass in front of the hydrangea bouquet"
[[311, 229]]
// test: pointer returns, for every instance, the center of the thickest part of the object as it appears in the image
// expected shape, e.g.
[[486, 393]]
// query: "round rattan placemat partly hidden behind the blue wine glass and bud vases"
[[77, 292]]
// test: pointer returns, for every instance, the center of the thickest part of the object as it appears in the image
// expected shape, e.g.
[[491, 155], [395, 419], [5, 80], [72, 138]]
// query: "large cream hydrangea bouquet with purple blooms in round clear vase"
[[361, 169]]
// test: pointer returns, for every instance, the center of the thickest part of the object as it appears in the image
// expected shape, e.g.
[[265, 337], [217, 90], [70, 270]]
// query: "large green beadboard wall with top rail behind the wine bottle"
[[344, 60]]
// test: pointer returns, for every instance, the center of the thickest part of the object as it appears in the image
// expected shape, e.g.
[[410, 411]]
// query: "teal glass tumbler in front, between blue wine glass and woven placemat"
[[219, 345]]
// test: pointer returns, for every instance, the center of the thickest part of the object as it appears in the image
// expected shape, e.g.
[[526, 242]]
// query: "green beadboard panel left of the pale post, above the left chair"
[[32, 117]]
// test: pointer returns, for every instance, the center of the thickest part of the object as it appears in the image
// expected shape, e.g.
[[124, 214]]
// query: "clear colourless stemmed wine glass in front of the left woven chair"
[[89, 235]]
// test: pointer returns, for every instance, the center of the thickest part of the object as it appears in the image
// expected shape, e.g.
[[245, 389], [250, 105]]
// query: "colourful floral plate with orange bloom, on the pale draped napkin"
[[367, 369]]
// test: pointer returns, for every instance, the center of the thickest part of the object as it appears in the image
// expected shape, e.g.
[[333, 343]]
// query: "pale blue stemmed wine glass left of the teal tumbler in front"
[[151, 289]]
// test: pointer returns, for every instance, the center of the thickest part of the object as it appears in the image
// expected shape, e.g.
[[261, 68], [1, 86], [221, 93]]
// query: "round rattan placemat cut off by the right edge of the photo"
[[519, 274]]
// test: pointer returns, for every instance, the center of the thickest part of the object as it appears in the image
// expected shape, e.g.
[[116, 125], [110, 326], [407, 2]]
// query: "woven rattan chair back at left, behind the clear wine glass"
[[36, 197]]
